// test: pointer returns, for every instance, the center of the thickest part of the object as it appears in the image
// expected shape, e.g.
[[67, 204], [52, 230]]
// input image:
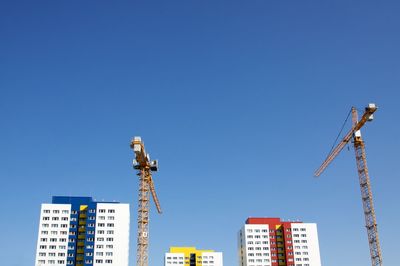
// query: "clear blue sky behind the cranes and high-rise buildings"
[[239, 100]]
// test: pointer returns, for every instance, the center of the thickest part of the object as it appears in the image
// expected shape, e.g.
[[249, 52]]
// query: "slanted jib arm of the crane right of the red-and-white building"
[[367, 116]]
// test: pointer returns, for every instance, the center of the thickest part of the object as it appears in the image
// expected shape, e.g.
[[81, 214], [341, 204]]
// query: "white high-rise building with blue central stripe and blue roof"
[[81, 232]]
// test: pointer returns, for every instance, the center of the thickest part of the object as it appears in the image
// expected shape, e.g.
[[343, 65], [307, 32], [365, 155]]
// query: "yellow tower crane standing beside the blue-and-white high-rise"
[[145, 167]]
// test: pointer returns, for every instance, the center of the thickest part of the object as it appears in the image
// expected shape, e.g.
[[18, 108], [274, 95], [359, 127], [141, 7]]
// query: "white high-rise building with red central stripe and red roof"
[[272, 242]]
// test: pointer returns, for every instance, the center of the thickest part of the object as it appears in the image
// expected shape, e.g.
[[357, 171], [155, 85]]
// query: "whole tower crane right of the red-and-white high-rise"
[[364, 180]]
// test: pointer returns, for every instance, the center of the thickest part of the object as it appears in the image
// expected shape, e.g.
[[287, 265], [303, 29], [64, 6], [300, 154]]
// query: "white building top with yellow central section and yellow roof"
[[190, 256]]
